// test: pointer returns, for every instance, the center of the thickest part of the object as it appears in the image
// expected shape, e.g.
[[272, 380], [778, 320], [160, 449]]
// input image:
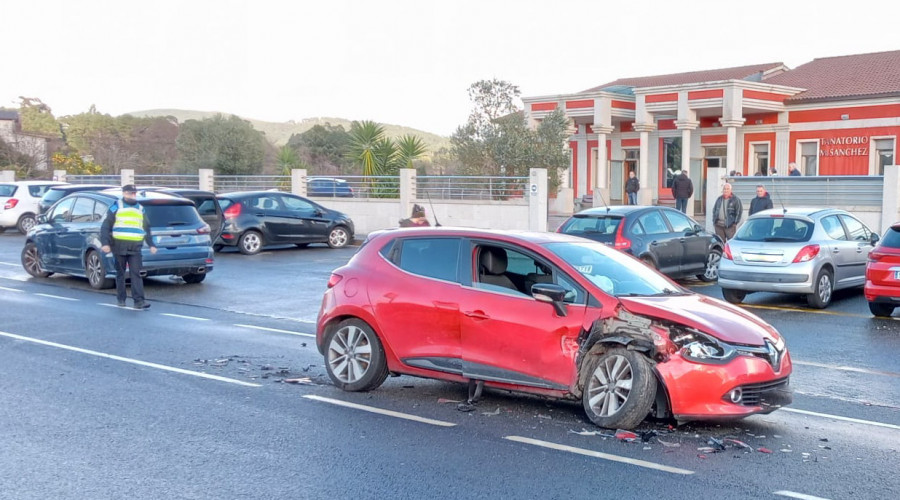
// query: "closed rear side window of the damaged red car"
[[432, 257]]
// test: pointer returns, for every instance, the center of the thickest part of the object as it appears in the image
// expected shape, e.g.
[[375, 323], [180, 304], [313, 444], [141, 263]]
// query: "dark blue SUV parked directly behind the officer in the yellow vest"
[[67, 239]]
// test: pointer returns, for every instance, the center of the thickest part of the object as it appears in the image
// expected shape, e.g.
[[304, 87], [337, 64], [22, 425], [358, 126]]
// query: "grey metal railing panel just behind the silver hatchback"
[[814, 191]]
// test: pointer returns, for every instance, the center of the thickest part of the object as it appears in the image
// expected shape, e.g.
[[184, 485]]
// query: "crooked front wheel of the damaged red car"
[[620, 408]]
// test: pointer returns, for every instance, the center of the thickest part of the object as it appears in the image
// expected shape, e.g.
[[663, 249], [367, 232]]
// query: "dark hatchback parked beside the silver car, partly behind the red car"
[[662, 237]]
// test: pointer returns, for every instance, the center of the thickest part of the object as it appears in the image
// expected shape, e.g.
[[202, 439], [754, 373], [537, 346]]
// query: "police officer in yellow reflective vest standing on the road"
[[124, 231]]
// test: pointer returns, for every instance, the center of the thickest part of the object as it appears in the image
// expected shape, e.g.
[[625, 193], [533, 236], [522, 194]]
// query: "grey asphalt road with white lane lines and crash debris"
[[190, 400]]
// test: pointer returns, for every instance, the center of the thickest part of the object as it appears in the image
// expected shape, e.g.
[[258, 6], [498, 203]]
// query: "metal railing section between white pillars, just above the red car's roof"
[[471, 188]]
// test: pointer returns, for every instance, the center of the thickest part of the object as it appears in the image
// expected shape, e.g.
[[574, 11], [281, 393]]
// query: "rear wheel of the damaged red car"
[[367, 368]]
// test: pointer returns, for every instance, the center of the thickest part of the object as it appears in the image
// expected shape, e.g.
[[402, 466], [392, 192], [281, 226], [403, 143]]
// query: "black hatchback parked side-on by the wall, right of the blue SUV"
[[254, 219]]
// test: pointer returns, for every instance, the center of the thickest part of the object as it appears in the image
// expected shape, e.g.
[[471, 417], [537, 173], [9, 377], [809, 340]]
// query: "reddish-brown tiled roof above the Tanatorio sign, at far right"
[[860, 75]]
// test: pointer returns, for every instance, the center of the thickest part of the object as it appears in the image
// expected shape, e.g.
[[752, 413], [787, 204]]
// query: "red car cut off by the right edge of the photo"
[[882, 287]]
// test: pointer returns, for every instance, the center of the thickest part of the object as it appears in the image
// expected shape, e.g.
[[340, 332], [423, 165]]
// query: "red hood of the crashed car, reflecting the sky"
[[714, 317]]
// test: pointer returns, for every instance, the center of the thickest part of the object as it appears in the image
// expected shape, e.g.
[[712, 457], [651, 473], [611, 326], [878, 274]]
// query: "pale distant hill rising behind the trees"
[[279, 133]]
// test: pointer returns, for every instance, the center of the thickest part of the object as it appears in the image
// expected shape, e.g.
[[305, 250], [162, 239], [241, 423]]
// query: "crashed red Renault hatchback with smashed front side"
[[546, 314]]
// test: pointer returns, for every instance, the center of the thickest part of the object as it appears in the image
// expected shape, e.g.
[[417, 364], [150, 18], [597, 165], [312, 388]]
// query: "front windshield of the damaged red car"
[[614, 272]]
